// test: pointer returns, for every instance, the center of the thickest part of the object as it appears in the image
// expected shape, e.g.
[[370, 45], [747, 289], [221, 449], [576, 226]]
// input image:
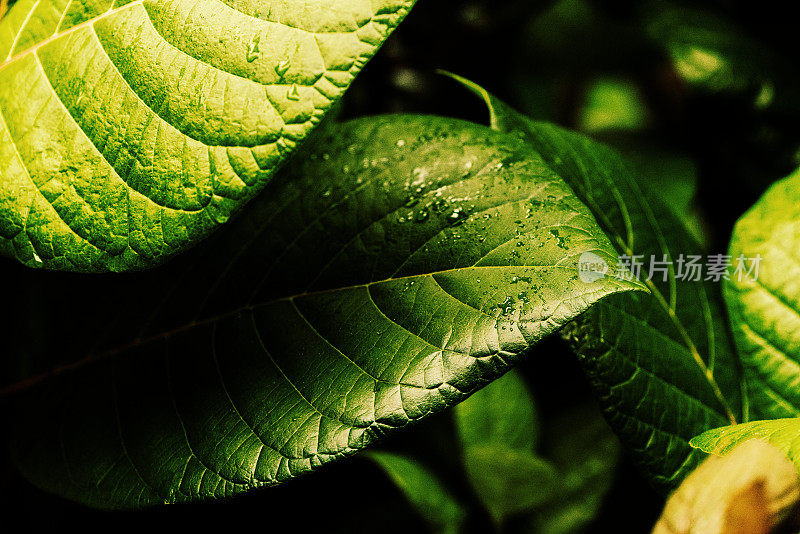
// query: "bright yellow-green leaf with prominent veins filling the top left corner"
[[131, 129]]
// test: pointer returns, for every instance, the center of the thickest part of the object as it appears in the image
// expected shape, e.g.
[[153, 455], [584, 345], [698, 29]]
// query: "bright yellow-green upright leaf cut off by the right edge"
[[763, 297]]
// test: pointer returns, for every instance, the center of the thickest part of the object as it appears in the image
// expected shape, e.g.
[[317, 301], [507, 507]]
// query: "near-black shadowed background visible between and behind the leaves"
[[541, 59]]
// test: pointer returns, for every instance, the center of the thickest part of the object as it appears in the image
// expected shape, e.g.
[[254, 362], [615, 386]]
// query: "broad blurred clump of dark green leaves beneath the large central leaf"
[[559, 491]]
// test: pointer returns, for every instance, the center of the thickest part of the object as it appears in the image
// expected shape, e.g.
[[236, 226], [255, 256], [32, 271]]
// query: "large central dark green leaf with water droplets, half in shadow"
[[399, 265]]
